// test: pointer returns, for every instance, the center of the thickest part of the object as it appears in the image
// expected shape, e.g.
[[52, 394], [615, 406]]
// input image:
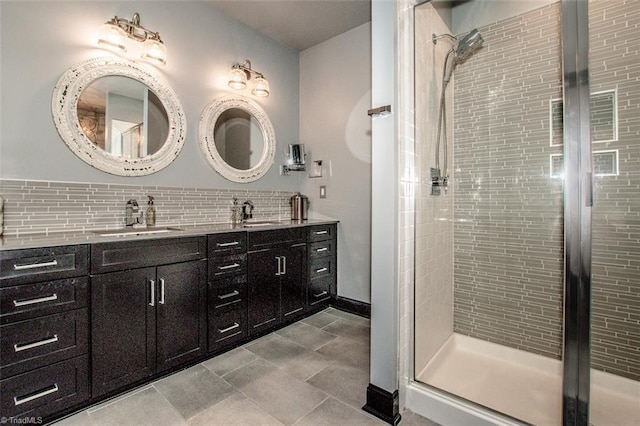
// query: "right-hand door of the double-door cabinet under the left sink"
[[181, 313]]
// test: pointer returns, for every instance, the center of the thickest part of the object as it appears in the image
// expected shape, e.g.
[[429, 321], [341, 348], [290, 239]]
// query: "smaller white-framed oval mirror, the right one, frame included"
[[237, 138]]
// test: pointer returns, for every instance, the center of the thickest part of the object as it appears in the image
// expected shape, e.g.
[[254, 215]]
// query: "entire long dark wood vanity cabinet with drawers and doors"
[[79, 323]]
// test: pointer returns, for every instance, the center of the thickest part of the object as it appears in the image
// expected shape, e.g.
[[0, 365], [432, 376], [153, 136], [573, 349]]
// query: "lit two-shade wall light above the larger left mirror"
[[117, 33]]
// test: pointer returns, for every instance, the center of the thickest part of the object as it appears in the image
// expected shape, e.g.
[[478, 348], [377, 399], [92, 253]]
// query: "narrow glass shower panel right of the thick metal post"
[[614, 65]]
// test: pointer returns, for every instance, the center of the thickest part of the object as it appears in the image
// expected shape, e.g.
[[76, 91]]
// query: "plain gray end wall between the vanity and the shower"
[[335, 93]]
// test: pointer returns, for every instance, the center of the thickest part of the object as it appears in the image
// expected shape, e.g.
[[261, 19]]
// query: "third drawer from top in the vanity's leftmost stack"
[[37, 342]]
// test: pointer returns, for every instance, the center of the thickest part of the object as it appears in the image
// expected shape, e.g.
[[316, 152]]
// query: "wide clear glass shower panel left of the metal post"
[[489, 283]]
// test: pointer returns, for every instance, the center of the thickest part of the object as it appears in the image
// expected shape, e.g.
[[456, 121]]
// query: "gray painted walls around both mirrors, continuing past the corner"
[[202, 45]]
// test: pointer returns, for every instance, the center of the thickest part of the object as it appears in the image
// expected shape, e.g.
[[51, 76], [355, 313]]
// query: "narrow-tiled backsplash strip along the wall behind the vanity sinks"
[[35, 207]]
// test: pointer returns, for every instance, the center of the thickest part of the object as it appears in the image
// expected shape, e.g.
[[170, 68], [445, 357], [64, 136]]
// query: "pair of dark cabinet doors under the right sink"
[[277, 276]]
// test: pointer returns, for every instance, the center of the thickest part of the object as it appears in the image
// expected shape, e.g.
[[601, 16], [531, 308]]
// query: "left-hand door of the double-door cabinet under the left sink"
[[123, 328]]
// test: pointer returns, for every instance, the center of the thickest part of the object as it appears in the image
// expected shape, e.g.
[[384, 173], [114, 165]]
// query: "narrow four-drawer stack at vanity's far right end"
[[322, 264]]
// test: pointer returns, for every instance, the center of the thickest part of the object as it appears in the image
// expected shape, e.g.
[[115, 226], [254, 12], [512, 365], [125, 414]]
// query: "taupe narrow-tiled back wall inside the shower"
[[509, 211]]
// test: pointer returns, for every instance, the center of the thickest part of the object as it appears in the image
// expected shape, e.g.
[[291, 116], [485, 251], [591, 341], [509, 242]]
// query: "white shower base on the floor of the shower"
[[523, 385]]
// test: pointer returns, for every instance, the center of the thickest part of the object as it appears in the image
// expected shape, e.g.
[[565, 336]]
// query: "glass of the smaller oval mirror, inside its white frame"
[[238, 138]]
